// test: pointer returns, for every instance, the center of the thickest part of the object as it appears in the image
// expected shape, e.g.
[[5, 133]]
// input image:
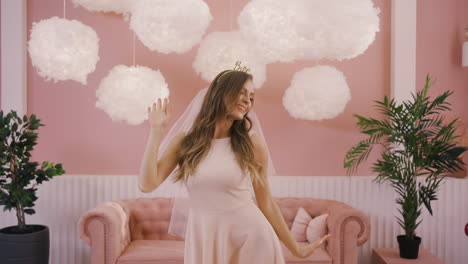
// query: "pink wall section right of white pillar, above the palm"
[[439, 52]]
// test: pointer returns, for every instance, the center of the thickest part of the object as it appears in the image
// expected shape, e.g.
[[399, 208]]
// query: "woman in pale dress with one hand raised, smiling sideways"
[[219, 158]]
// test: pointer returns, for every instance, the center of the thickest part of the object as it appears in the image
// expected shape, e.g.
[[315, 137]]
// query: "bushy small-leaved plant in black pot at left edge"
[[18, 180]]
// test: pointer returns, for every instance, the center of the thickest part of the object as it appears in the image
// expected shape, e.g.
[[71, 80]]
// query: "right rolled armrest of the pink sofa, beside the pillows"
[[349, 228]]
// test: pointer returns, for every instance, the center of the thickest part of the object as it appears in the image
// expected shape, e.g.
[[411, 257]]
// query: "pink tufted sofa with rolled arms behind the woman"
[[134, 231]]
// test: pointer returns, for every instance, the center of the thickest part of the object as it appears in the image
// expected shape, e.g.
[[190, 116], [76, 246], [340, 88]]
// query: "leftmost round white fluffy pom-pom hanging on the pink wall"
[[63, 49]]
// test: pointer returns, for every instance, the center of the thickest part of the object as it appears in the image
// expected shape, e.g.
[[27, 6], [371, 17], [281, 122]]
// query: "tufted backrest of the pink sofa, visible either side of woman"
[[149, 217]]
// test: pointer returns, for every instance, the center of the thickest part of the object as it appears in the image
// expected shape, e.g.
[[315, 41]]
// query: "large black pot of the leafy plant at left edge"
[[26, 248]]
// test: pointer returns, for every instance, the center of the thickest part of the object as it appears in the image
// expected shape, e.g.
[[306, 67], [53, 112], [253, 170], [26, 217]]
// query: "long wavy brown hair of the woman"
[[220, 99]]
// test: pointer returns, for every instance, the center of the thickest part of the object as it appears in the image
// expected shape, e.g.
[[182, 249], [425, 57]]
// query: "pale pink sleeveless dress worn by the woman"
[[224, 225]]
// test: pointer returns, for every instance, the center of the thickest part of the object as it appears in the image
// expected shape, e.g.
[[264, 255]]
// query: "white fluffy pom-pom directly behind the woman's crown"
[[220, 51]]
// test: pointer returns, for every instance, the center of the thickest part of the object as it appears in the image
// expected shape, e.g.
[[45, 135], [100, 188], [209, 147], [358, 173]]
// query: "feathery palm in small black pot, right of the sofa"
[[416, 143]]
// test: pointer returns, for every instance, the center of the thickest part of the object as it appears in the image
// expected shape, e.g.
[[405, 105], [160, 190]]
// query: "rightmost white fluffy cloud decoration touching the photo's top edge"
[[340, 29]]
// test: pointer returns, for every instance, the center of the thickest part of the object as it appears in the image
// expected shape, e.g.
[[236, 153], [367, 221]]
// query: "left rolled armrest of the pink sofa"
[[105, 228]]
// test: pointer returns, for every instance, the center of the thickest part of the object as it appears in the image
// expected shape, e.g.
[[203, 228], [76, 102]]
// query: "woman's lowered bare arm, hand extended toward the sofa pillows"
[[271, 210]]
